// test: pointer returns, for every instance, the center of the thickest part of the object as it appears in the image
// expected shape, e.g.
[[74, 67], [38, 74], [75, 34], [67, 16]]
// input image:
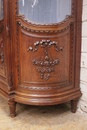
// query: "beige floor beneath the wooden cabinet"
[[41, 118]]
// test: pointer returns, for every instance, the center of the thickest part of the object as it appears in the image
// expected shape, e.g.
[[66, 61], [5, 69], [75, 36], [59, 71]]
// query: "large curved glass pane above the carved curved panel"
[[45, 11]]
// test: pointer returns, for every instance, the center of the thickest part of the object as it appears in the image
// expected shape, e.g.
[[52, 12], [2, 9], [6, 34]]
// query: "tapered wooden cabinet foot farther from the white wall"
[[12, 107]]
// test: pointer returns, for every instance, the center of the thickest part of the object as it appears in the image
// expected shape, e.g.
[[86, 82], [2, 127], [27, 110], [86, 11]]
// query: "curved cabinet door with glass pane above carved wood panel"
[[45, 44]]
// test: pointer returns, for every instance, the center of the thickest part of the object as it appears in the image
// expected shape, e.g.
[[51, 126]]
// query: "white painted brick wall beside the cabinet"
[[83, 80]]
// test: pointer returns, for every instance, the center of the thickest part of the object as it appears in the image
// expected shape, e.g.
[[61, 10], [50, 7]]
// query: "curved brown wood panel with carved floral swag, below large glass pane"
[[47, 59]]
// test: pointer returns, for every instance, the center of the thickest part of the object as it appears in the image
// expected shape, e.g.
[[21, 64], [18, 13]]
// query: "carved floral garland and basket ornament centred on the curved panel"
[[46, 65]]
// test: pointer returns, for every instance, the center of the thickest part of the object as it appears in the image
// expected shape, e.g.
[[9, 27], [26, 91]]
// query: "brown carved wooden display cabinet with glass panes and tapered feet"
[[40, 45]]
